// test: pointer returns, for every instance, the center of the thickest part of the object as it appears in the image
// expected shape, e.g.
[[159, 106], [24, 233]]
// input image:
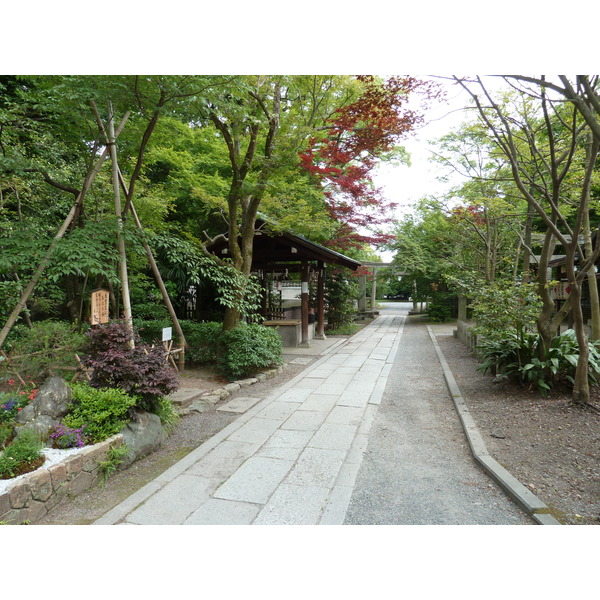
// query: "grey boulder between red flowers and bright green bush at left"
[[50, 404]]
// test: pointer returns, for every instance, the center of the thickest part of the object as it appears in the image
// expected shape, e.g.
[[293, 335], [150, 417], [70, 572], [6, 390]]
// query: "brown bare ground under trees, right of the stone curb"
[[547, 444]]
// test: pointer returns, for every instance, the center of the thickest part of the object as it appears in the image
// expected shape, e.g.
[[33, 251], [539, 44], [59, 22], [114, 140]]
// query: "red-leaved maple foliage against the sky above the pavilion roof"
[[354, 139]]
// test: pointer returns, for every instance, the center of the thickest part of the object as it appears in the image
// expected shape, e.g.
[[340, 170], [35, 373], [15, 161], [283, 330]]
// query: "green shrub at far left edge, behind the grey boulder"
[[48, 347]]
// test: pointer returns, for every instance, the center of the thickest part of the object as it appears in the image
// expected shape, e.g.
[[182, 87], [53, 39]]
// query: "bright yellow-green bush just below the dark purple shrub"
[[104, 412]]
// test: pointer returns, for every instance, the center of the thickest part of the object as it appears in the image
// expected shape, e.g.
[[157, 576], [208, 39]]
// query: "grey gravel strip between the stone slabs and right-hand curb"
[[418, 468]]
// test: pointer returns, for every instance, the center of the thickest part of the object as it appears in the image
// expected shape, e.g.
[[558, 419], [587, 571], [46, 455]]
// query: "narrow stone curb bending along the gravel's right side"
[[528, 501]]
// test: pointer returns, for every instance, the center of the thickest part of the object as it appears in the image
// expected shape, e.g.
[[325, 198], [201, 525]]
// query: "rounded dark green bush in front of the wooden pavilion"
[[247, 349]]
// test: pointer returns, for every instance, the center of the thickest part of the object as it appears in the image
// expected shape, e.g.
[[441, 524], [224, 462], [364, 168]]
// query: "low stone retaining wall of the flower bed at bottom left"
[[35, 494]]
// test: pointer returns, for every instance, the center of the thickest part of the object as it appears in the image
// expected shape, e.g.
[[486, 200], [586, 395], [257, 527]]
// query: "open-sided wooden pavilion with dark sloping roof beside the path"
[[276, 256]]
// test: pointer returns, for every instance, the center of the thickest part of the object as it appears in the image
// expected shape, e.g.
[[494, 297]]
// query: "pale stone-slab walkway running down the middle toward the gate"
[[294, 457]]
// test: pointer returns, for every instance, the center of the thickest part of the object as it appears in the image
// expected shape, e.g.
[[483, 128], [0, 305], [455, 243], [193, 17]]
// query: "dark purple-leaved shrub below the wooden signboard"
[[142, 371]]
